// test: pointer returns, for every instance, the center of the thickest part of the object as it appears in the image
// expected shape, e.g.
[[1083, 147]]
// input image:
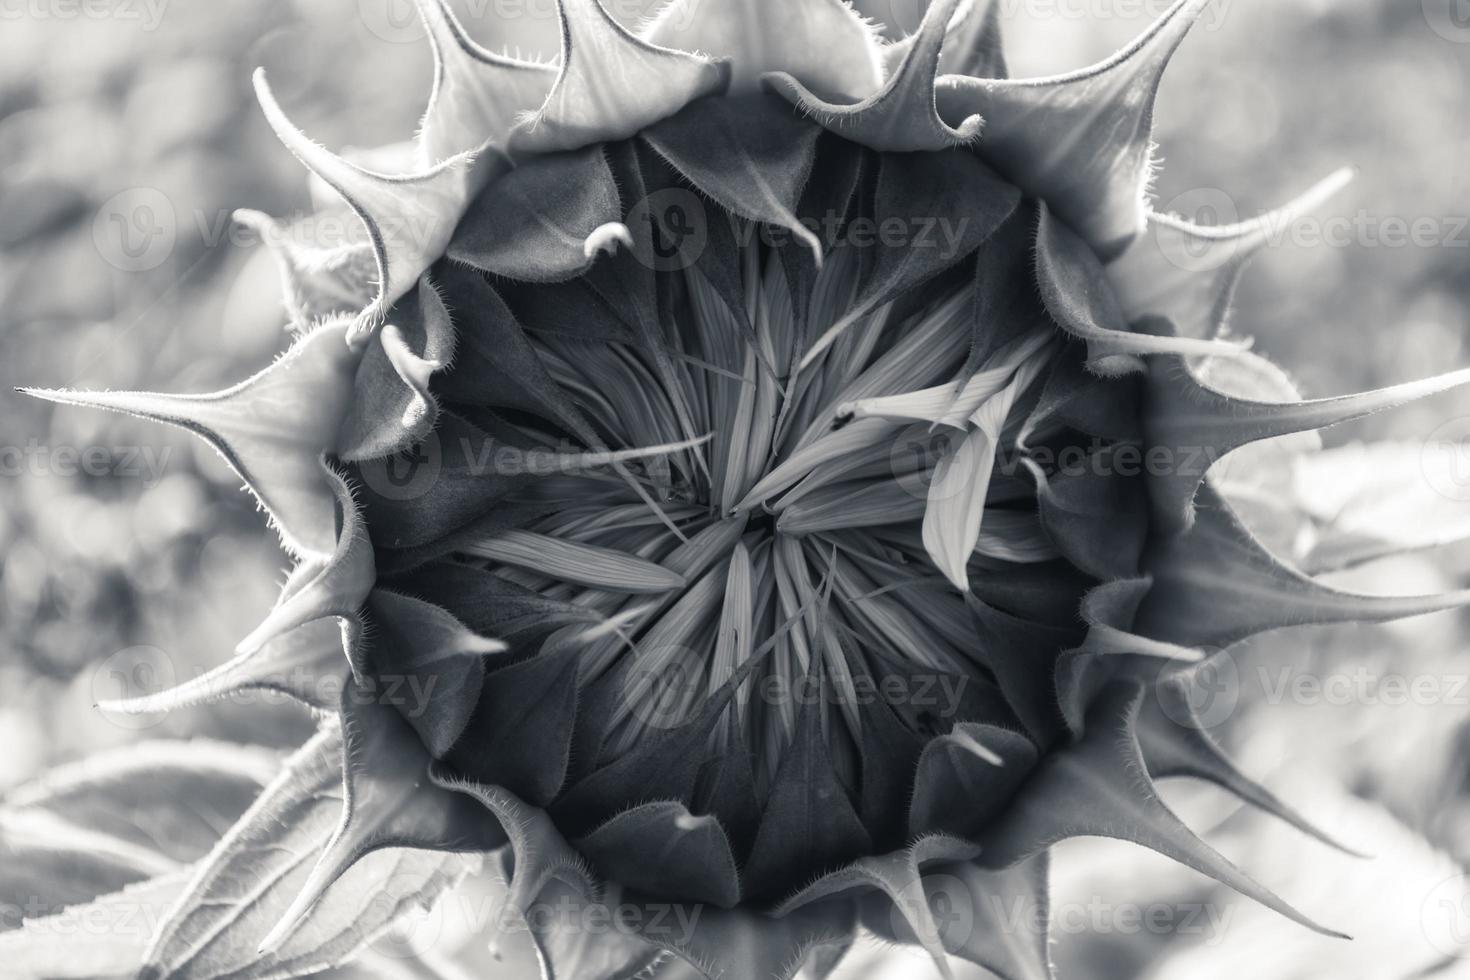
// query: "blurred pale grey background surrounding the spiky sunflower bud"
[[129, 556]]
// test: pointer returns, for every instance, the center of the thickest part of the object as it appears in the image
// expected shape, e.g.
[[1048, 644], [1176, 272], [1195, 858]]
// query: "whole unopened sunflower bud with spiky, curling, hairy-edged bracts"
[[777, 459]]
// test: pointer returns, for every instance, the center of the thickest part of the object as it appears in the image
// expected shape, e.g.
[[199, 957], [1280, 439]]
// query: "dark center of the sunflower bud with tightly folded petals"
[[758, 572]]
